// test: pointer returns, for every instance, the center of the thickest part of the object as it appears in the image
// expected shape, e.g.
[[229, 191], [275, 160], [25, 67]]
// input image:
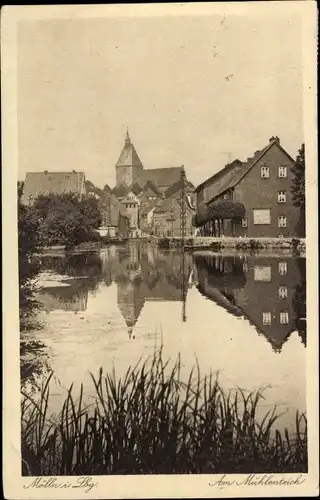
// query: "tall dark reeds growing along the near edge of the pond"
[[150, 422]]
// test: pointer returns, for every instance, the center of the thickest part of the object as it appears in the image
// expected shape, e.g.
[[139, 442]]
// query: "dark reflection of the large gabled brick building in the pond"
[[268, 291]]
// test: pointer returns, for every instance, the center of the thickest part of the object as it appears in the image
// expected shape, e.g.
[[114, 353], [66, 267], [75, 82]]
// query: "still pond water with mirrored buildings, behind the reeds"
[[240, 315]]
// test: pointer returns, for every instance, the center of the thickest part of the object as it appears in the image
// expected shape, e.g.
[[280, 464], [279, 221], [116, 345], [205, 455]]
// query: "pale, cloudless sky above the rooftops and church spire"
[[197, 91]]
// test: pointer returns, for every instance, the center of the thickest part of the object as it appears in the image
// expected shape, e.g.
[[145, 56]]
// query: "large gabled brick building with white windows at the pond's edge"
[[261, 185]]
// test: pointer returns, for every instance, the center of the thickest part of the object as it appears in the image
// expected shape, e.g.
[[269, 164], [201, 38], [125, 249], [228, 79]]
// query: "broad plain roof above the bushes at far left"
[[37, 183]]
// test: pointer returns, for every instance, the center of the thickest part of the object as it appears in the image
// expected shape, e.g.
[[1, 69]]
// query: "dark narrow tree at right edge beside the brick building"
[[298, 188]]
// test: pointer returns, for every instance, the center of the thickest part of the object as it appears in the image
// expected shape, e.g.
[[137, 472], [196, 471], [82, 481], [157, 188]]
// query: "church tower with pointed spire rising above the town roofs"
[[129, 167]]
